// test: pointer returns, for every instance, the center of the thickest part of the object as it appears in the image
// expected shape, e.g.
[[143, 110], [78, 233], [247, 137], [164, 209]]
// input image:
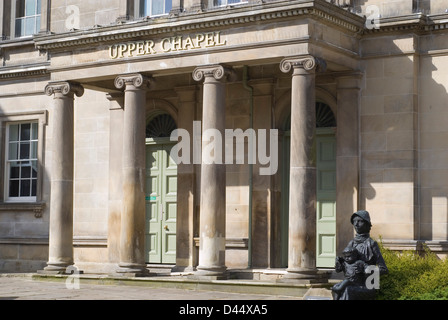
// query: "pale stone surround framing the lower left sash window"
[[40, 118]]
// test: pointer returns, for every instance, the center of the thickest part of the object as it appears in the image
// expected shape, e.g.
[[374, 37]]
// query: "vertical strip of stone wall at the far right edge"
[[433, 146]]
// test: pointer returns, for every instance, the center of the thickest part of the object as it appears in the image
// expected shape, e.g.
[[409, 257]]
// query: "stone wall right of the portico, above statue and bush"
[[404, 145]]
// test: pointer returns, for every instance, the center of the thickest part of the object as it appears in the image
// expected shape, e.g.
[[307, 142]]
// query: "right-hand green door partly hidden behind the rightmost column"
[[326, 198]]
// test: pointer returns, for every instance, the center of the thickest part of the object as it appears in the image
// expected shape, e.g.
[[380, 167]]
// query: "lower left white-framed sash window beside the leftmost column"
[[21, 164]]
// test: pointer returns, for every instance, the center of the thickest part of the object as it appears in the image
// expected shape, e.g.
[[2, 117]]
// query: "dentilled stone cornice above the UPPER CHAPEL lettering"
[[317, 9]]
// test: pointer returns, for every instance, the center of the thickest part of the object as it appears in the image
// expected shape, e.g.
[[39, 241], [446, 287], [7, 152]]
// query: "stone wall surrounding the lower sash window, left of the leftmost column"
[[24, 229]]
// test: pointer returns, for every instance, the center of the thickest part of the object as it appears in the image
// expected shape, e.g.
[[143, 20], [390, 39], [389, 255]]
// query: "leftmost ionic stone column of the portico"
[[61, 205]]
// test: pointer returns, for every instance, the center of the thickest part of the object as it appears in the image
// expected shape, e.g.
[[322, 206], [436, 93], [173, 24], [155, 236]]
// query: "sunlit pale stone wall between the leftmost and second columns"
[[91, 181]]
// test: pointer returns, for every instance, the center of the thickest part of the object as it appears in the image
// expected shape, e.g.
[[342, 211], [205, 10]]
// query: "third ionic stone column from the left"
[[212, 230]]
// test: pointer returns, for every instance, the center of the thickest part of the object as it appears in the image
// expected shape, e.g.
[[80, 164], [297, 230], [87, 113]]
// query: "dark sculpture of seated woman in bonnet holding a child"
[[361, 256]]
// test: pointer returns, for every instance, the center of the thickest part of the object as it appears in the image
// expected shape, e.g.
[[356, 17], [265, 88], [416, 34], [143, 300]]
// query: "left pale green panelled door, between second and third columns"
[[161, 210]]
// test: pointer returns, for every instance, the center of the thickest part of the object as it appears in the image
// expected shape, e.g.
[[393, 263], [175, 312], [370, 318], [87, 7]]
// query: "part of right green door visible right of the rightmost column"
[[326, 199]]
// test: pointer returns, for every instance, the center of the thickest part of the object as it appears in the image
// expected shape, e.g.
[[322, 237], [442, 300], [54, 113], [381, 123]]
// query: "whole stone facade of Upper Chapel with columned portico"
[[344, 104]]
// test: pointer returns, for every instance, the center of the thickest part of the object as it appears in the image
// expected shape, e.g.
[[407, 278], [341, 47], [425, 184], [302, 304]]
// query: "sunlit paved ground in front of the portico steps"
[[25, 288]]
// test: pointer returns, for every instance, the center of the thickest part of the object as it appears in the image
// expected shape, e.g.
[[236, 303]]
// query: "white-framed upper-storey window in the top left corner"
[[27, 17]]
